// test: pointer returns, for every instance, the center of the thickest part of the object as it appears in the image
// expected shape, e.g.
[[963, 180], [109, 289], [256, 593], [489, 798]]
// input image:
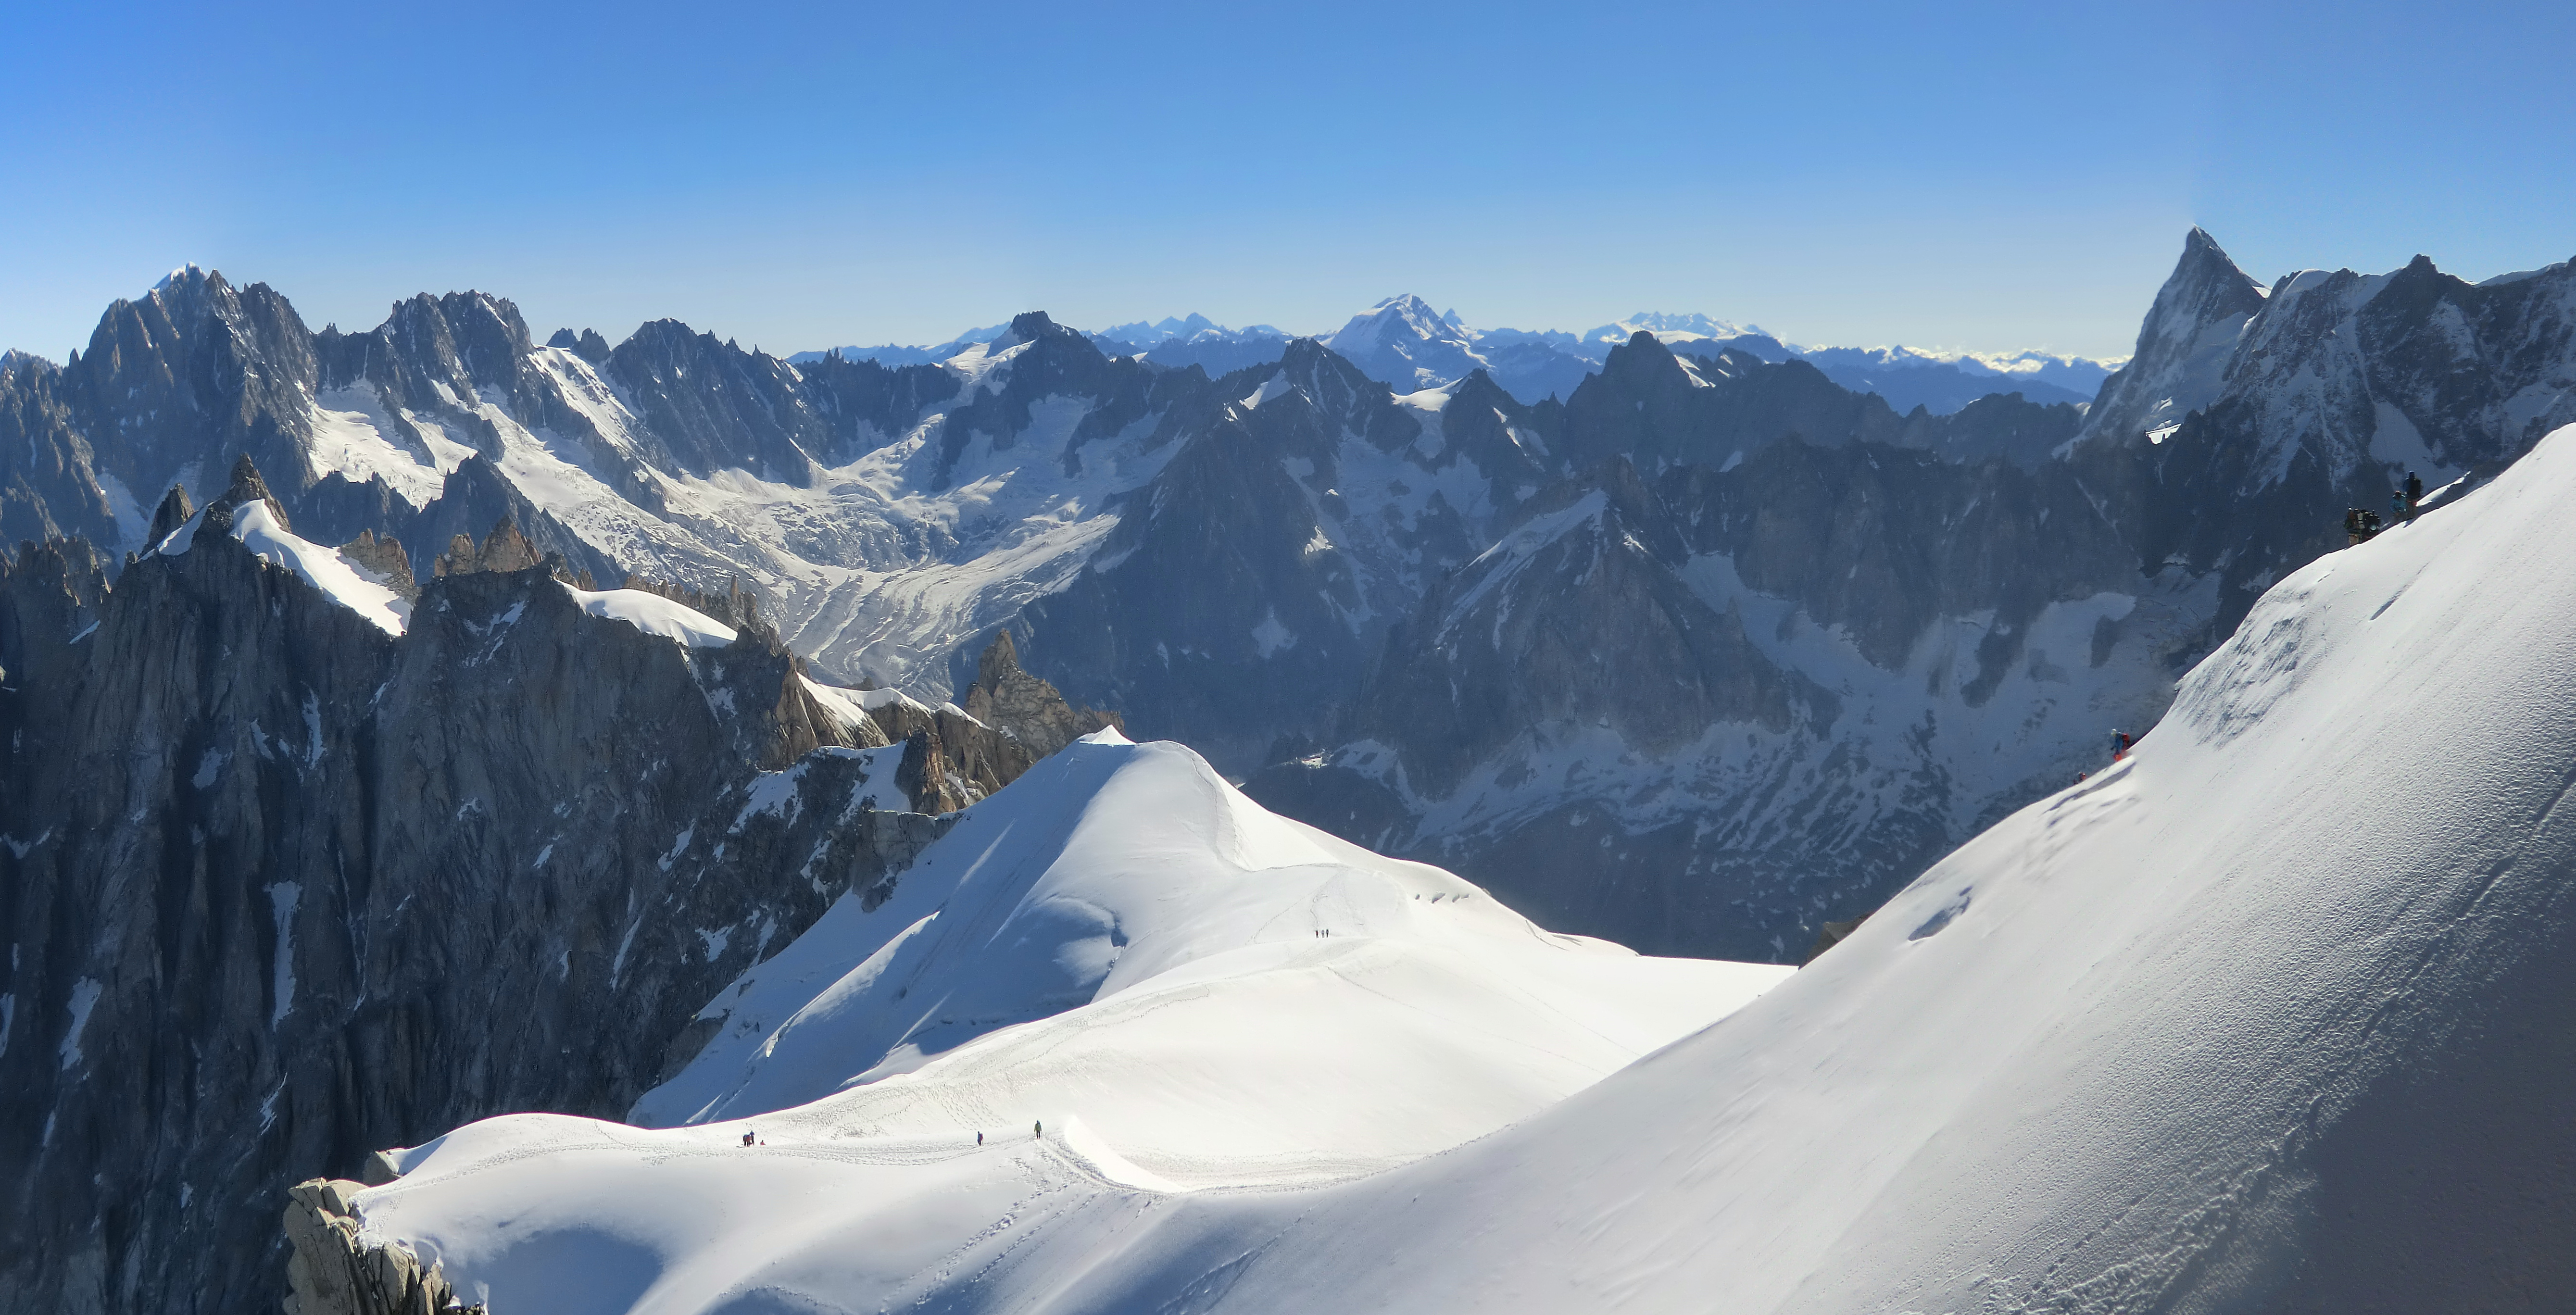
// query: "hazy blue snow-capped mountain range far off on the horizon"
[[1410, 346]]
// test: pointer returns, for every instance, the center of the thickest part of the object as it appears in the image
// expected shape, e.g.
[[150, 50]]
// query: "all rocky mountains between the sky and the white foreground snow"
[[377, 699]]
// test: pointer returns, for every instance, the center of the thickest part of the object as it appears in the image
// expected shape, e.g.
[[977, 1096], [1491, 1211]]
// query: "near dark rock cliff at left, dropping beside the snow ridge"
[[287, 889]]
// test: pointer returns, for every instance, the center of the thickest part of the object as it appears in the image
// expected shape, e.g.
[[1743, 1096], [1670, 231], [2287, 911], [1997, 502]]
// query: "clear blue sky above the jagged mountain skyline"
[[797, 176]]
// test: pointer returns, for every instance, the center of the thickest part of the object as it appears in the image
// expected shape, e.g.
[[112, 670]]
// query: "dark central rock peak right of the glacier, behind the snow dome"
[[1256, 552]]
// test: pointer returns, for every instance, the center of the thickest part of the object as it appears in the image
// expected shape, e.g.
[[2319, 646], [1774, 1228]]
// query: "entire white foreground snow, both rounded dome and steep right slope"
[[2271, 1015]]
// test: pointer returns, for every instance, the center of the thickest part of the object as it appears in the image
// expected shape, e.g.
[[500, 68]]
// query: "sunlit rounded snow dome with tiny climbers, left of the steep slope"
[[1189, 992]]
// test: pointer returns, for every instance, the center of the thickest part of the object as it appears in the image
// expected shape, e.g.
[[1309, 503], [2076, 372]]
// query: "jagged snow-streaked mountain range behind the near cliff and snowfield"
[[1153, 537]]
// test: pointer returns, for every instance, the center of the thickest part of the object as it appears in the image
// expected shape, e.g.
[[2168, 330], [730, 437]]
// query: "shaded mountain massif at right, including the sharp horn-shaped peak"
[[1768, 683]]
